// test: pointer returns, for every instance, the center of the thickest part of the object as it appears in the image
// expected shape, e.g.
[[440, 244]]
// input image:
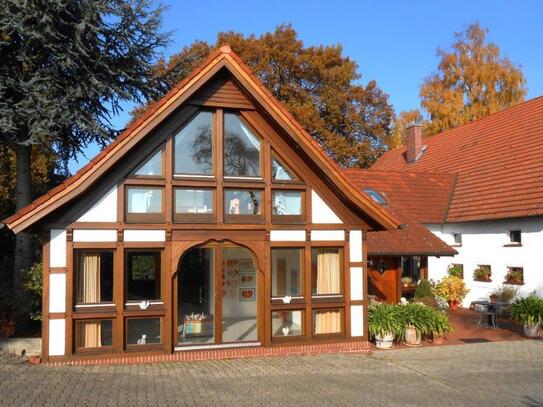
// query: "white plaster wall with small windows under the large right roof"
[[483, 243]]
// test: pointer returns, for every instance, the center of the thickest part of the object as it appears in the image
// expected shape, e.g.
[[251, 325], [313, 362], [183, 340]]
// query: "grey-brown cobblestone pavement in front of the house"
[[499, 374]]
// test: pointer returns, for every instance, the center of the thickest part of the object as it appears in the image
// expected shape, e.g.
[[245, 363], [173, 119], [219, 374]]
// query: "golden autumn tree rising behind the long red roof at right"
[[472, 81]]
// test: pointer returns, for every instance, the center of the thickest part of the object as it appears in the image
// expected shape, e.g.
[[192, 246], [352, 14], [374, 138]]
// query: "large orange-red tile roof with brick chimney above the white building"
[[498, 161]]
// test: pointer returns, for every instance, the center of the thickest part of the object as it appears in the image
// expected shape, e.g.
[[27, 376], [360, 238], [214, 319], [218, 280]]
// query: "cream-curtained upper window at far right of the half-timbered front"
[[326, 271]]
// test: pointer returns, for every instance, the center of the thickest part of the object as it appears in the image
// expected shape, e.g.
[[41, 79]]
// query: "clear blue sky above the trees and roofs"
[[393, 42]]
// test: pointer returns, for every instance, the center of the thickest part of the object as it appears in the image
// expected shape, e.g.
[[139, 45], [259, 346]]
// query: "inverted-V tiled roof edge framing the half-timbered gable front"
[[156, 113]]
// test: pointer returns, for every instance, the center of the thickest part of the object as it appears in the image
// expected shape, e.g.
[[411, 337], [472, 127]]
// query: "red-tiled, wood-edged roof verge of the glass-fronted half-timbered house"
[[73, 185]]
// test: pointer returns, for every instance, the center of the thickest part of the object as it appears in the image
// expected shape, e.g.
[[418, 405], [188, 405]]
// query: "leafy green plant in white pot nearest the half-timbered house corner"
[[384, 324]]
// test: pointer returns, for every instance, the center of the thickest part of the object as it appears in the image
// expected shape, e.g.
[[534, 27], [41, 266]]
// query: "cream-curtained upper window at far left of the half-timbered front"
[[94, 277]]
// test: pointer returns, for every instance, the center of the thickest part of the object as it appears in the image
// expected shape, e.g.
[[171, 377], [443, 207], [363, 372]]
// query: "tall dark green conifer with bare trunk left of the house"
[[66, 67]]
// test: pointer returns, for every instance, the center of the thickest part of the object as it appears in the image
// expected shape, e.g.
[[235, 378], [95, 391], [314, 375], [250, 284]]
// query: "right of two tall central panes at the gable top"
[[241, 148]]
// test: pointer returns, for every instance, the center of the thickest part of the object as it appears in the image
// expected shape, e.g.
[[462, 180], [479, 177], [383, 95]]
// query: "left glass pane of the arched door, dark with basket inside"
[[196, 297]]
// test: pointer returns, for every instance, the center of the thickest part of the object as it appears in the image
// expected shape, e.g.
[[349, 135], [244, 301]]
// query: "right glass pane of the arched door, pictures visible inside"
[[239, 296]]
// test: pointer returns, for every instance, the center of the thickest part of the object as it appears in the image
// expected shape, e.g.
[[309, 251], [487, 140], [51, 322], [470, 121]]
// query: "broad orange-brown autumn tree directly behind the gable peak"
[[318, 85]]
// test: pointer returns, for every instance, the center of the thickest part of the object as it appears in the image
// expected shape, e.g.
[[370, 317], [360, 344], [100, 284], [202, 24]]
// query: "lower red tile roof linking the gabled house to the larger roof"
[[413, 198]]
